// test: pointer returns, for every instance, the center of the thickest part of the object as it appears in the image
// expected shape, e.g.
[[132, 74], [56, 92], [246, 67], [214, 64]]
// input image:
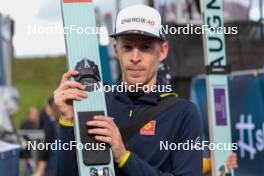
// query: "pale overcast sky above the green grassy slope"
[[44, 13]]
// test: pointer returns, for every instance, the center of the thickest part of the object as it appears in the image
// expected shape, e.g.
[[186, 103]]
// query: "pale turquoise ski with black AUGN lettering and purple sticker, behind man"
[[217, 70]]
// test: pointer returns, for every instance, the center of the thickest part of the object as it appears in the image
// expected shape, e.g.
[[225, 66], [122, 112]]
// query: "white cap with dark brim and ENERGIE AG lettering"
[[138, 19]]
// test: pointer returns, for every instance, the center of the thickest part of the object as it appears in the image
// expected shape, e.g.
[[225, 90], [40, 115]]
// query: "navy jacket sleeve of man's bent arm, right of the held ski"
[[184, 162]]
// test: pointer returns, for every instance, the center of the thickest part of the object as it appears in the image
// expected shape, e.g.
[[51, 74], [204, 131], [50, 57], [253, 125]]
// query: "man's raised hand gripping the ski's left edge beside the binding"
[[67, 92]]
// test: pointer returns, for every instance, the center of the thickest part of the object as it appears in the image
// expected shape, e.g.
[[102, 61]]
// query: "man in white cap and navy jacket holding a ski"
[[140, 48]]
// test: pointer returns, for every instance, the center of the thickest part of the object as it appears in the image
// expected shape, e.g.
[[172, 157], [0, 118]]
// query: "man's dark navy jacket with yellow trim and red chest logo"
[[179, 123]]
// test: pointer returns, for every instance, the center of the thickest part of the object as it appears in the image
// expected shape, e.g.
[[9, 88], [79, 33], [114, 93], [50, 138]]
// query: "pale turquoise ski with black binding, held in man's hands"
[[83, 55]]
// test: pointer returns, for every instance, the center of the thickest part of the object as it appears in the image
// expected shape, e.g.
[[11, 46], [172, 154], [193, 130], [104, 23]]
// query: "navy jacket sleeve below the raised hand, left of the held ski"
[[67, 161]]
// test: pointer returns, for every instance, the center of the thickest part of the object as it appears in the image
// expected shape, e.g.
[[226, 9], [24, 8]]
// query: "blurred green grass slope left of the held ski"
[[35, 79]]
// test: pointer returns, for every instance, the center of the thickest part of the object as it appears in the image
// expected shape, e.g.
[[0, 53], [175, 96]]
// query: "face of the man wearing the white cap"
[[139, 57]]
